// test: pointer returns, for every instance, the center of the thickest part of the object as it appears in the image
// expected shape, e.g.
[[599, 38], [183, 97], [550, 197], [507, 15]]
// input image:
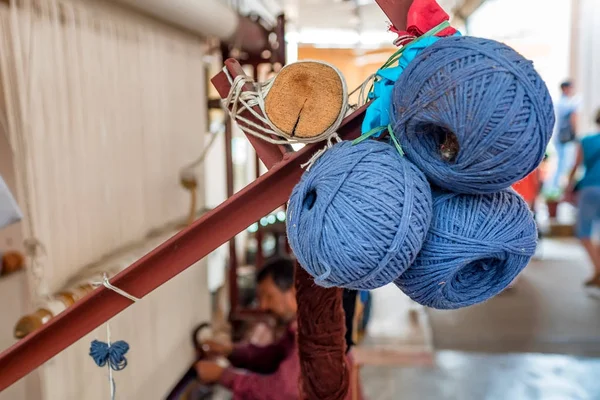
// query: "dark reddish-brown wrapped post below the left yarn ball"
[[321, 343]]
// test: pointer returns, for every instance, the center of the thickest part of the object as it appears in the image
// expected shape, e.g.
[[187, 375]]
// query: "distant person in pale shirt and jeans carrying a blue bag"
[[565, 134]]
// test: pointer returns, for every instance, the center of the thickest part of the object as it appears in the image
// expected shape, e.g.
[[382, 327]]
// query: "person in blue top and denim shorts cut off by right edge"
[[586, 194]]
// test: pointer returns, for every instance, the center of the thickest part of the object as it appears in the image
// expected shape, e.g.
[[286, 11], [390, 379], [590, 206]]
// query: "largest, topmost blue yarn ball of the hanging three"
[[489, 97]]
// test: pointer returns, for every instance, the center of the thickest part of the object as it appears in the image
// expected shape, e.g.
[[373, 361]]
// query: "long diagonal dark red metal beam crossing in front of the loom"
[[164, 263]]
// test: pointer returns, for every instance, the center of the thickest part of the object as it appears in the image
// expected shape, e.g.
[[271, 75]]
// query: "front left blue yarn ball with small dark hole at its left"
[[359, 215]]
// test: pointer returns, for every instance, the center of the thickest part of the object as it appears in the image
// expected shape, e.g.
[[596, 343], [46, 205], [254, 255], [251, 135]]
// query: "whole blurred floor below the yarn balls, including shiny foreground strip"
[[485, 352]]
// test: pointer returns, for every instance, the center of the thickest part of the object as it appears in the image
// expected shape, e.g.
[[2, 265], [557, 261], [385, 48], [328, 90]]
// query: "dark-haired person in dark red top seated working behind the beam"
[[270, 372]]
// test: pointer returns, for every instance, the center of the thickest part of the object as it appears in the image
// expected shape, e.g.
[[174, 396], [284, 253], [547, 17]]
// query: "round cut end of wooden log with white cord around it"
[[306, 99]]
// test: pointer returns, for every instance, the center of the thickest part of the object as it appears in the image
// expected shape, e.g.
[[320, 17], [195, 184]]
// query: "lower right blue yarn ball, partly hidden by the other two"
[[476, 246]]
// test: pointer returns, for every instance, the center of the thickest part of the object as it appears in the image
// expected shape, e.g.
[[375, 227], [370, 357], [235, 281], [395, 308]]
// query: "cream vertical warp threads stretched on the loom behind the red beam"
[[119, 107]]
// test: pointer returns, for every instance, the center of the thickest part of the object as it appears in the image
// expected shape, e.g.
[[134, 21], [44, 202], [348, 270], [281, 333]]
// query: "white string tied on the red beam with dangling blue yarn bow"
[[111, 354]]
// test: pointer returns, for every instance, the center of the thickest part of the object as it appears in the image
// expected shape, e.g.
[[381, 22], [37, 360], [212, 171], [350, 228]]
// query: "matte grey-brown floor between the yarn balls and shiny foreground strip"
[[548, 311]]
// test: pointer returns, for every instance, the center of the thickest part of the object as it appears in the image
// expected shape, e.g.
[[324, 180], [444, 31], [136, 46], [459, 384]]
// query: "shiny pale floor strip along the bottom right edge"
[[468, 376]]
